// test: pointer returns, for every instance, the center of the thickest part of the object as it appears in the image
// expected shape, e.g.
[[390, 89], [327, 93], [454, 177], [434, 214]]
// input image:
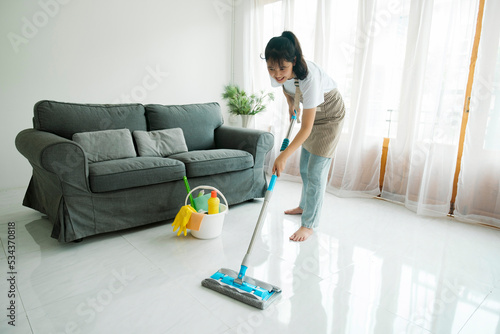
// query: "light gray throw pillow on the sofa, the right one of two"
[[160, 143]]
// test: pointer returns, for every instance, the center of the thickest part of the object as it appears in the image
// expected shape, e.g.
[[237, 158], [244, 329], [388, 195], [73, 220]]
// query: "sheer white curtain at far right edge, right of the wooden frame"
[[478, 196]]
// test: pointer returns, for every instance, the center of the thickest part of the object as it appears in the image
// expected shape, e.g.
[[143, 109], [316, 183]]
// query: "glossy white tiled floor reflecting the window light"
[[371, 267]]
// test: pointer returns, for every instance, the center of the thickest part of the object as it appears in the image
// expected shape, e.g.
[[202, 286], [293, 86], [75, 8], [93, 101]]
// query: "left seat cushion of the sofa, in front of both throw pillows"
[[133, 172]]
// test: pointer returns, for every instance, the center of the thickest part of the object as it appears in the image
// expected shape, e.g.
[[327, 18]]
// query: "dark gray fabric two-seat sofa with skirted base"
[[84, 197]]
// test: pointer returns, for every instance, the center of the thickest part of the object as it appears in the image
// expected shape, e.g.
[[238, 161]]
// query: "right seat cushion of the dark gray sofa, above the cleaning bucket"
[[211, 162]]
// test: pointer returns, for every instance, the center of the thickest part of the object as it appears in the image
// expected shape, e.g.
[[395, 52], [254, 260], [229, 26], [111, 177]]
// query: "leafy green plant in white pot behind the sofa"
[[240, 103]]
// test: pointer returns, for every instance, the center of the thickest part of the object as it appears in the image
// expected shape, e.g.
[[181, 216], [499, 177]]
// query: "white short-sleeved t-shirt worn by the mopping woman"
[[313, 87]]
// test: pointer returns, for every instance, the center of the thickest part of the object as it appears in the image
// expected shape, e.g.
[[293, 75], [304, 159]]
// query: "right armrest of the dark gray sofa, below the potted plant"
[[255, 142]]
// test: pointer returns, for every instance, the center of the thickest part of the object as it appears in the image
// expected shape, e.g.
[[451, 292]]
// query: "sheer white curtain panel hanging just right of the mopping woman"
[[370, 53]]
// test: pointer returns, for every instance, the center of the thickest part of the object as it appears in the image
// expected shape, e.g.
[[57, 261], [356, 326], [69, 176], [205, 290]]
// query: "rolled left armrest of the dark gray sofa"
[[54, 154]]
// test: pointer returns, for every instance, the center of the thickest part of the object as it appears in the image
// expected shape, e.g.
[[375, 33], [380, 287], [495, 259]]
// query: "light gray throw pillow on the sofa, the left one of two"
[[106, 145]]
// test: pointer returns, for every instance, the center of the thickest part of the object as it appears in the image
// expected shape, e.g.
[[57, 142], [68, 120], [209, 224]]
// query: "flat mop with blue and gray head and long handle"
[[238, 286]]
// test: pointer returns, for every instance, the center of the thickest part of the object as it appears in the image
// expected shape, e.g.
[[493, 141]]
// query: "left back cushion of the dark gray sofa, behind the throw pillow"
[[65, 119]]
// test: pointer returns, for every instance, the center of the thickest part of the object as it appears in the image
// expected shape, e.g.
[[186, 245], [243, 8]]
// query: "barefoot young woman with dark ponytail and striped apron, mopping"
[[322, 119]]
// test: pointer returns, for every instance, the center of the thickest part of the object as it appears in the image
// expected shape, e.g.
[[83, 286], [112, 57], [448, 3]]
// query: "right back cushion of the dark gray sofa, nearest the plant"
[[197, 121]]
